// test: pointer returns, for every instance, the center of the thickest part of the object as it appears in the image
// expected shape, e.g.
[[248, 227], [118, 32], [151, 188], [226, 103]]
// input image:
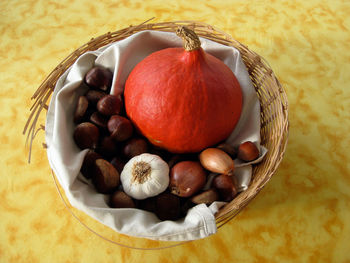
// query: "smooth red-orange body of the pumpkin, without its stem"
[[183, 101]]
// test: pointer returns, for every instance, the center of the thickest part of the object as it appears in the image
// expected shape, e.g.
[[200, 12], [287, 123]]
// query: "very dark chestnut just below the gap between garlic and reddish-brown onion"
[[168, 206]]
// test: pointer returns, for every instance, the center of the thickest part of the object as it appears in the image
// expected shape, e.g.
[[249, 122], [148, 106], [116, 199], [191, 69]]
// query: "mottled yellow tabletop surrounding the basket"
[[302, 214]]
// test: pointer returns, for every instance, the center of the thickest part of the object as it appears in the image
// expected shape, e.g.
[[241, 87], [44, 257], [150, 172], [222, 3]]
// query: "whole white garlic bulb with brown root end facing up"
[[144, 176]]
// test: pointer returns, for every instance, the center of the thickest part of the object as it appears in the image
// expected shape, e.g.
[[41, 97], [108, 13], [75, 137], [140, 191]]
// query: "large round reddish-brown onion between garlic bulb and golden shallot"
[[186, 178]]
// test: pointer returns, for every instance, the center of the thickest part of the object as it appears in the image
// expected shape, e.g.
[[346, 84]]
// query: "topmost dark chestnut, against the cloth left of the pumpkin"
[[99, 77]]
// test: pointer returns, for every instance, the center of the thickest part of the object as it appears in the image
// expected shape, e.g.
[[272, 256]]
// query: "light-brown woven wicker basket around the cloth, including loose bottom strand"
[[272, 97]]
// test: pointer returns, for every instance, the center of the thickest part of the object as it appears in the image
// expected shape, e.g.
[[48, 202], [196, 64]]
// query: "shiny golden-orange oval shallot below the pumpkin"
[[217, 161]]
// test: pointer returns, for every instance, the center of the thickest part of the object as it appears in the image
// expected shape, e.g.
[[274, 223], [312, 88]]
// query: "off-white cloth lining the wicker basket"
[[66, 158]]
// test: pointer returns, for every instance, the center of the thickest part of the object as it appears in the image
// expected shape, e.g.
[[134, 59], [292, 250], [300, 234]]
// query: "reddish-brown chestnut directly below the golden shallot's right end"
[[226, 187]]
